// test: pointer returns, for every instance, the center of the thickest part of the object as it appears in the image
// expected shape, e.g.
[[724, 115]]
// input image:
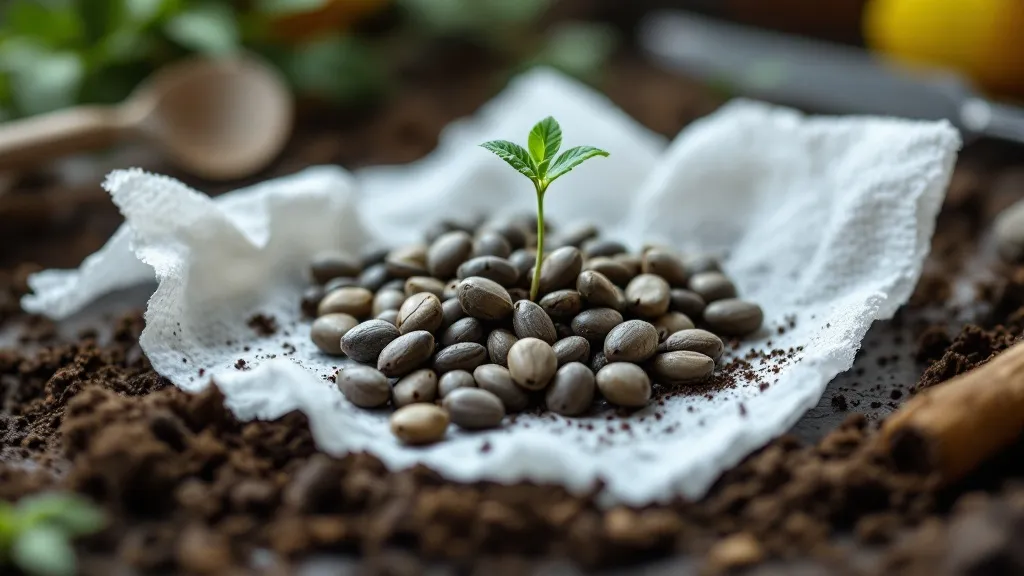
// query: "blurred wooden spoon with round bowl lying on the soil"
[[219, 119]]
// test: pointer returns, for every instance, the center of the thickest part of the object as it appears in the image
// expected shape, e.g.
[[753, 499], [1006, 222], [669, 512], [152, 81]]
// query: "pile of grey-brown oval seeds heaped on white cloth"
[[446, 331]]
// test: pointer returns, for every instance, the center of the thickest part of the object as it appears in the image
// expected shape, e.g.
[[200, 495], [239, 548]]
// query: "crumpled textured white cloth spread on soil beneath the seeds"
[[825, 222]]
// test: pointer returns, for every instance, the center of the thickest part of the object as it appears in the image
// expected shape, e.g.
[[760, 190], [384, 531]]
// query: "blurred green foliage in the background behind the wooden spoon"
[[56, 54]]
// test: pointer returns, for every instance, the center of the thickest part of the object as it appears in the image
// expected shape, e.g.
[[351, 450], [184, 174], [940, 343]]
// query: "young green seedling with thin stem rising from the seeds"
[[542, 168]]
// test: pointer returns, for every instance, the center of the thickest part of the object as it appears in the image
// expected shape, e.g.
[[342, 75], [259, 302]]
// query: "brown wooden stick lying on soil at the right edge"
[[956, 426]]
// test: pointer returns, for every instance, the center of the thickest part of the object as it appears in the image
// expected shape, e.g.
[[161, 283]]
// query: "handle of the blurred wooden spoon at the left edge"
[[35, 140]]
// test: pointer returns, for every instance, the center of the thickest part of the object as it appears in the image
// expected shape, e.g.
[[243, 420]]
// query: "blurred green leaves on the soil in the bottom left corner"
[[36, 534]]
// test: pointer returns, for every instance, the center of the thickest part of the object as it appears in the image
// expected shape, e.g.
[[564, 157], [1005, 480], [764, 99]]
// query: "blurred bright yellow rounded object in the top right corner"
[[984, 39]]
